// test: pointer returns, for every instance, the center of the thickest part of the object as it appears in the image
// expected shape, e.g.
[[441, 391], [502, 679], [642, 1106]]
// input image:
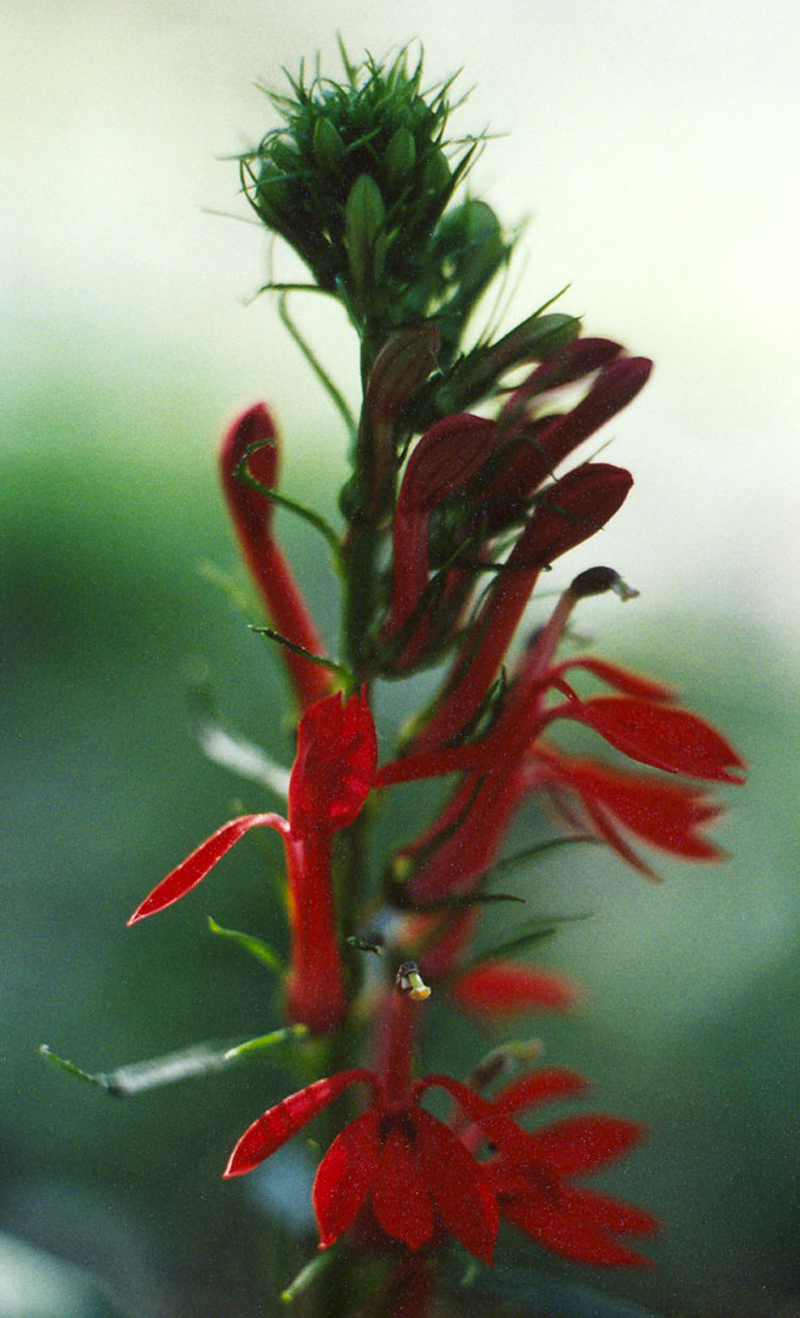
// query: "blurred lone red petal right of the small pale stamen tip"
[[507, 989]]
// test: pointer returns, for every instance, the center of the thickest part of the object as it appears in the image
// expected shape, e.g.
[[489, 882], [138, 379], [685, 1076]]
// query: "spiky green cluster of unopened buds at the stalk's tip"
[[359, 180]]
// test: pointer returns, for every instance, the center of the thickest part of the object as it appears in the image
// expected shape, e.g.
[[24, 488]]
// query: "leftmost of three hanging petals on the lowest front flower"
[[345, 1176]]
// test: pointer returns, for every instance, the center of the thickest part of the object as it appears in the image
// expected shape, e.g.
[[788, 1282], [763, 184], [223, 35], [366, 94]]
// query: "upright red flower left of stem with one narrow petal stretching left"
[[331, 777]]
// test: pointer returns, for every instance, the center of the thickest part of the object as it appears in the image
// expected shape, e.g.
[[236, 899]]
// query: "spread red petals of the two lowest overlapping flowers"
[[421, 1176]]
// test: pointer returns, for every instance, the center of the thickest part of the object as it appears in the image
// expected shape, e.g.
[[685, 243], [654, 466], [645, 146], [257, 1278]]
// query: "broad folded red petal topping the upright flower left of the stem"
[[335, 764]]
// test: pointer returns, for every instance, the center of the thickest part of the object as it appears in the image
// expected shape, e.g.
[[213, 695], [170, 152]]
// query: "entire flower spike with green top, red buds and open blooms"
[[451, 517]]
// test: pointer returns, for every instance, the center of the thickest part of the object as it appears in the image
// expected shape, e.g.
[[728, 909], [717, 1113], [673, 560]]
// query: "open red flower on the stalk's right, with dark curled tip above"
[[517, 759]]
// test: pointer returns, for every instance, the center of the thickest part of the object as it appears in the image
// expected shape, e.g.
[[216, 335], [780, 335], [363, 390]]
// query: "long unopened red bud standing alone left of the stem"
[[252, 515]]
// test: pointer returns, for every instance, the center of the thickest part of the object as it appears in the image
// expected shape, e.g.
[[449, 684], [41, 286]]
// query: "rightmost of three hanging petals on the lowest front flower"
[[461, 1191]]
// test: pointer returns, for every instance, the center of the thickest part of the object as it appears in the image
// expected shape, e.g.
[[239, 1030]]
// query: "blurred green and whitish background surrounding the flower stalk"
[[654, 151]]
